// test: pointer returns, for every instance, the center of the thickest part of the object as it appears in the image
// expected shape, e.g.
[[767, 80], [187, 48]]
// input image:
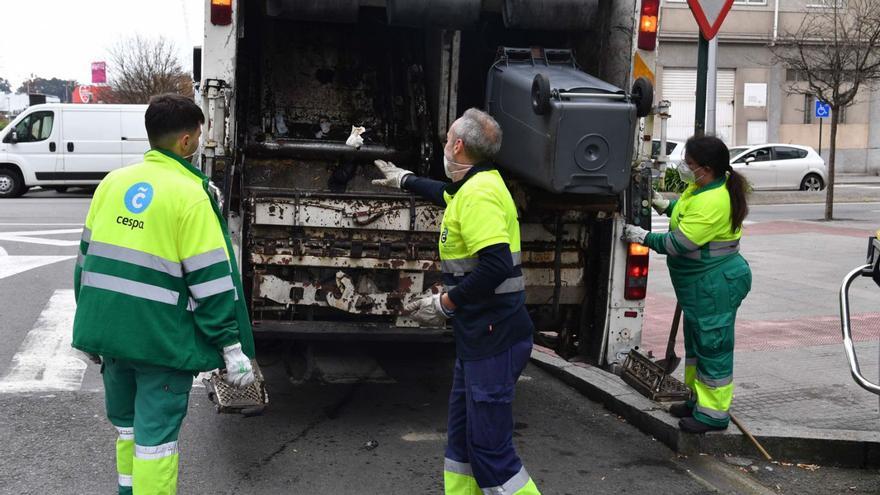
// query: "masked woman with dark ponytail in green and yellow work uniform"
[[708, 273]]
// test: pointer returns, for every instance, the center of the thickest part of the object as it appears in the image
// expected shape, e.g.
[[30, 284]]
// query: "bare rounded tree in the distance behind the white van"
[[141, 67]]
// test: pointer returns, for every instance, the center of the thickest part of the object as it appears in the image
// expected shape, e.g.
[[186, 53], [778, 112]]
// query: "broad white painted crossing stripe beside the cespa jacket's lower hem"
[[45, 361]]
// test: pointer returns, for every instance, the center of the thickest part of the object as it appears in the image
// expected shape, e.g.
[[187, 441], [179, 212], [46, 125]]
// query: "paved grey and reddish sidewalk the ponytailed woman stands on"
[[793, 385]]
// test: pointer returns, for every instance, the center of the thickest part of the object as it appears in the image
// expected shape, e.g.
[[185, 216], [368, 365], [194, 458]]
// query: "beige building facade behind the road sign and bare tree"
[[755, 101]]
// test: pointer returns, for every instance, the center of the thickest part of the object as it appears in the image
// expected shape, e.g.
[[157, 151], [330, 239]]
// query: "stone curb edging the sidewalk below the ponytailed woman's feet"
[[844, 448]]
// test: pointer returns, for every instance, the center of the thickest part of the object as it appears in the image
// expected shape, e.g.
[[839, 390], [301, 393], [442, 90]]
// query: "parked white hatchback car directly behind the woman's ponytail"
[[780, 166]]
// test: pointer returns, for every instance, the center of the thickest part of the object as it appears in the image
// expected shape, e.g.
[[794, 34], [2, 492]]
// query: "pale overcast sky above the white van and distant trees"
[[61, 38]]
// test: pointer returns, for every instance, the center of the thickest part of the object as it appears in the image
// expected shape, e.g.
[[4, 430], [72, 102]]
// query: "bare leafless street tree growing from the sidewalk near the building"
[[835, 51]]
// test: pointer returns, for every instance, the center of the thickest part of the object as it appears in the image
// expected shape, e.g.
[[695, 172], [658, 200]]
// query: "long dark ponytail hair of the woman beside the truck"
[[711, 152]]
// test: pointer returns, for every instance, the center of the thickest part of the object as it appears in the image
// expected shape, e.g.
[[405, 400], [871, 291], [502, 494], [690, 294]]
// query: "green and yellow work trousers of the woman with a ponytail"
[[709, 306]]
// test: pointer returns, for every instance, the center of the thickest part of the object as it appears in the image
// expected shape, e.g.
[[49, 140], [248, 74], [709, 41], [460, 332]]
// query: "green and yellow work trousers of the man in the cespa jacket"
[[147, 405]]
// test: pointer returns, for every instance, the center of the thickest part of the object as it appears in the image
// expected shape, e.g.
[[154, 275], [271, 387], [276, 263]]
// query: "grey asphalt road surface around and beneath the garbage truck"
[[314, 437]]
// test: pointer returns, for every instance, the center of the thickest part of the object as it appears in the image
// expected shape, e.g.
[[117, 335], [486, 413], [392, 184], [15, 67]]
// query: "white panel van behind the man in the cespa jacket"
[[60, 145]]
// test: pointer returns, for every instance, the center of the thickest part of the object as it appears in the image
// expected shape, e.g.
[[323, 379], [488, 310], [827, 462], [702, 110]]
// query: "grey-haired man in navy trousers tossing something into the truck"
[[485, 295]]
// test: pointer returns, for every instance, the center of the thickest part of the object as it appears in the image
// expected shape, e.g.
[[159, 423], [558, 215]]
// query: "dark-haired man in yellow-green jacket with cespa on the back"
[[159, 296]]
